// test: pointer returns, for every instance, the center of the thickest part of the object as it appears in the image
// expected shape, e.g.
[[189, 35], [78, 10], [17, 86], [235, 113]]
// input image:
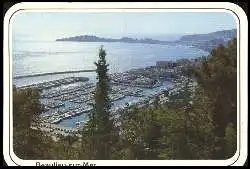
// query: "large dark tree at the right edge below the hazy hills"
[[218, 78]]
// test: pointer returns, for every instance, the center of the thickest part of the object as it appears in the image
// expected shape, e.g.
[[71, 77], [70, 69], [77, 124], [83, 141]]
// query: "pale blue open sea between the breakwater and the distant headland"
[[32, 57]]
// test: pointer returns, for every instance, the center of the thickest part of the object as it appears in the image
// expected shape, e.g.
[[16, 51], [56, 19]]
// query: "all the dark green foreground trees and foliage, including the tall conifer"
[[194, 124]]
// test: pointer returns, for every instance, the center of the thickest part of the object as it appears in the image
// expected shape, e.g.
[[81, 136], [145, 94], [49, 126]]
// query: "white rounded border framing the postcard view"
[[97, 6]]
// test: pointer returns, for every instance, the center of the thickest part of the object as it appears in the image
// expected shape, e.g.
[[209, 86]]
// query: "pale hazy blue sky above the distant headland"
[[53, 25]]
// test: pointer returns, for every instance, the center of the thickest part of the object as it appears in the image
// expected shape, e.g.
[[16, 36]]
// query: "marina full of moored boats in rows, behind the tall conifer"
[[68, 101]]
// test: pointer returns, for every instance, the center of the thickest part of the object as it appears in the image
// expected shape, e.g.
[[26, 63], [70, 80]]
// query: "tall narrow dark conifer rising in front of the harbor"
[[101, 124]]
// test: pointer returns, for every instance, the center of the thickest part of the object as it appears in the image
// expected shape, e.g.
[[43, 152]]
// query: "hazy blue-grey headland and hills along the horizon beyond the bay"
[[202, 41]]
